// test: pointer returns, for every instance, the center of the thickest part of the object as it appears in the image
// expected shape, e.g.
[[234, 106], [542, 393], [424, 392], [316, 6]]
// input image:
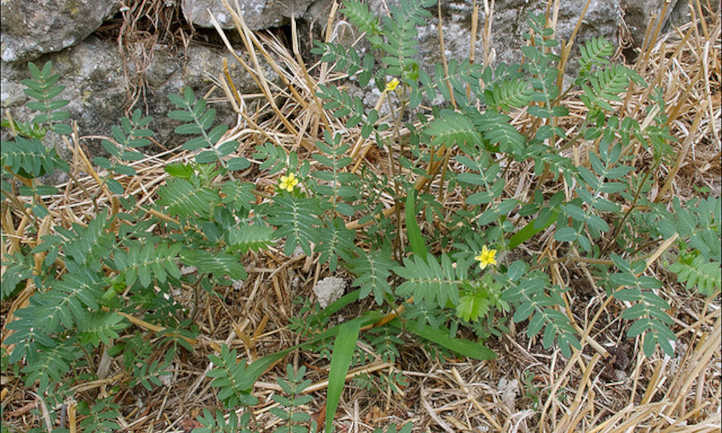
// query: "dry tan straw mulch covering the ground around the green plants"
[[608, 387]]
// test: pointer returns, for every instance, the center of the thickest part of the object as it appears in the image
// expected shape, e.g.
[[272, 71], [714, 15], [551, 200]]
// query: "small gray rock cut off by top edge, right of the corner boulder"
[[258, 14]]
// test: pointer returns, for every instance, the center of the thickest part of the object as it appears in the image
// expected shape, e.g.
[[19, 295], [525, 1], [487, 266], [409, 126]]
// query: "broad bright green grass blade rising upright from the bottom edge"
[[343, 349]]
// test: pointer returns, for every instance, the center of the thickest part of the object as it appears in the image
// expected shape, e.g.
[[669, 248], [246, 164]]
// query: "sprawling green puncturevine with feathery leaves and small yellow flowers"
[[461, 268]]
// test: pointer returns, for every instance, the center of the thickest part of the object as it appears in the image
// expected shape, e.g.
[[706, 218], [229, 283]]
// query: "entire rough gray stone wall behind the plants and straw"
[[98, 84]]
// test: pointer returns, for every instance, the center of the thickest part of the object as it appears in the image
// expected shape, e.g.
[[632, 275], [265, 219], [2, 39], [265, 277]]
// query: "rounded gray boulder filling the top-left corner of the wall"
[[29, 29]]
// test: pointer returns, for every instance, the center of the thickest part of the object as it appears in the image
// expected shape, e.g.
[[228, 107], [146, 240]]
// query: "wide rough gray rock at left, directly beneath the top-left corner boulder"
[[92, 73]]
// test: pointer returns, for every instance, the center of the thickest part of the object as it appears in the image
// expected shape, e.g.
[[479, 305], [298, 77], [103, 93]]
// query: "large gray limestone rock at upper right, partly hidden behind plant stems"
[[603, 18]]
